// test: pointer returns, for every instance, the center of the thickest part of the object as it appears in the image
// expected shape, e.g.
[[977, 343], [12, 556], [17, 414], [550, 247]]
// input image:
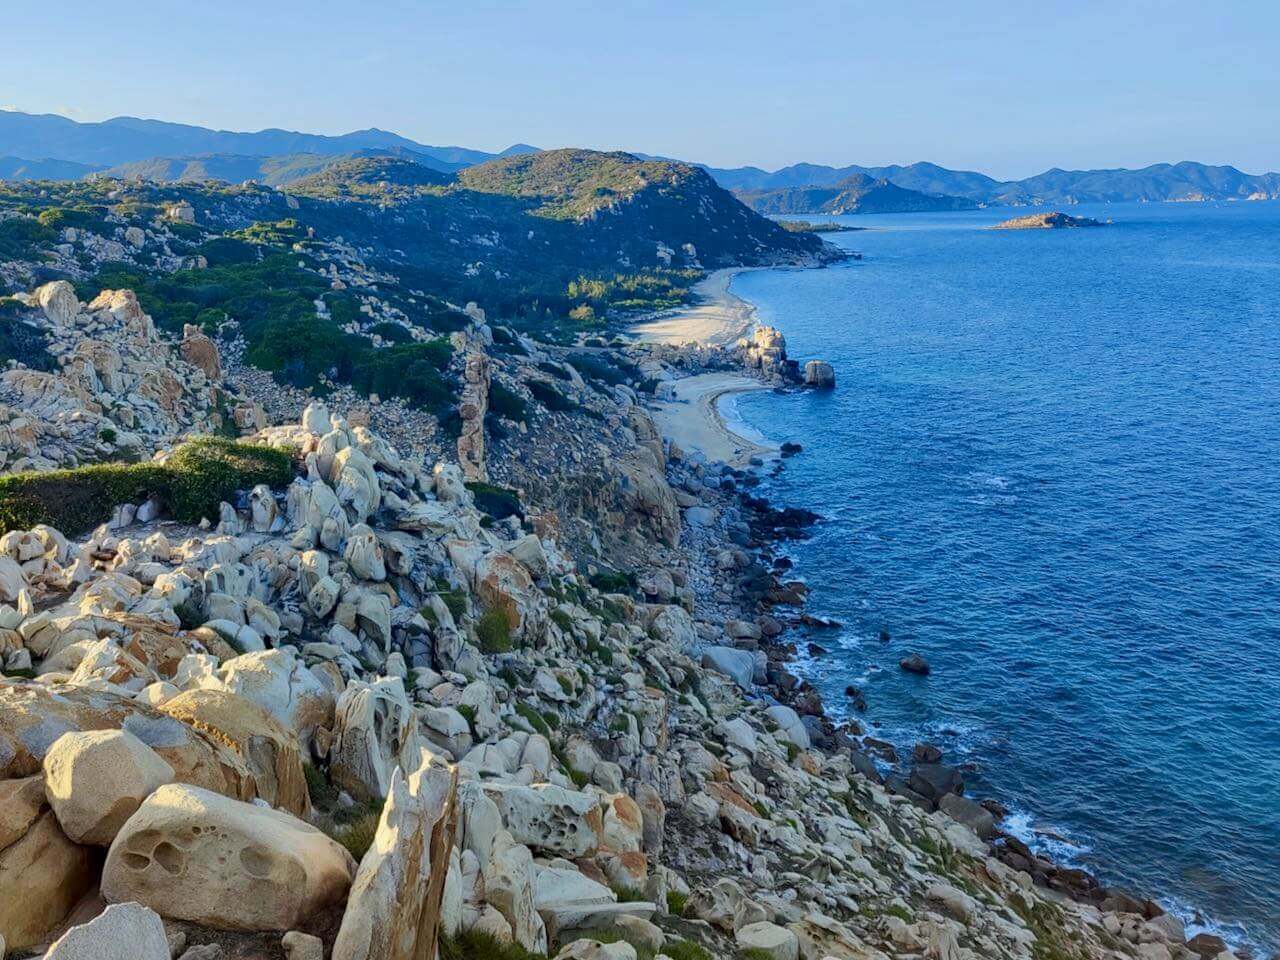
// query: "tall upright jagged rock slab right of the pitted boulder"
[[395, 906]]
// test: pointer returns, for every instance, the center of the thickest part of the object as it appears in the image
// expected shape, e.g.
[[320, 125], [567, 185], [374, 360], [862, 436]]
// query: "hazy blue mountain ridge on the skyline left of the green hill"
[[129, 140]]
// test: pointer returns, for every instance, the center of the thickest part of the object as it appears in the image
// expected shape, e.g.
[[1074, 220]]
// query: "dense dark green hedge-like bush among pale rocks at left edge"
[[191, 483]]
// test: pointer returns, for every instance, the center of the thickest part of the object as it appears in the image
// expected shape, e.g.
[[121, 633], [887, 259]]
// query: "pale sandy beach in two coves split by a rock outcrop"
[[692, 418]]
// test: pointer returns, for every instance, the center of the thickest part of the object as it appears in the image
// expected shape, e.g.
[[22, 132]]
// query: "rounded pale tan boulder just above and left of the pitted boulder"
[[95, 780]]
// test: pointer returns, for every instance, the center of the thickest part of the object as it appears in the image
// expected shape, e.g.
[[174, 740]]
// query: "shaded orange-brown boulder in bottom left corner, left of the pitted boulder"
[[44, 875]]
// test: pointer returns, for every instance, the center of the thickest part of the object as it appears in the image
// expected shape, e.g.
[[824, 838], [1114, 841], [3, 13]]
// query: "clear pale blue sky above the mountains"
[[1009, 89]]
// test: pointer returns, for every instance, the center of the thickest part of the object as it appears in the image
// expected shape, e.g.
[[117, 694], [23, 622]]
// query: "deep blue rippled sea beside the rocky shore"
[[1053, 468]]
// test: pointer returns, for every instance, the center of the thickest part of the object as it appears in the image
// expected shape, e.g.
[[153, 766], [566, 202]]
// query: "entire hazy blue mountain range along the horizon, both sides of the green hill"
[[57, 148]]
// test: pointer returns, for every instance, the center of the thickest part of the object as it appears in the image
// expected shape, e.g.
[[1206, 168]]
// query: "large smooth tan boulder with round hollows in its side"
[[195, 856]]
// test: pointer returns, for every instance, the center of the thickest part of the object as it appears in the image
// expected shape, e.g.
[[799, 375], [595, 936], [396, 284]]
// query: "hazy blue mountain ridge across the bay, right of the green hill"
[[1160, 182]]
